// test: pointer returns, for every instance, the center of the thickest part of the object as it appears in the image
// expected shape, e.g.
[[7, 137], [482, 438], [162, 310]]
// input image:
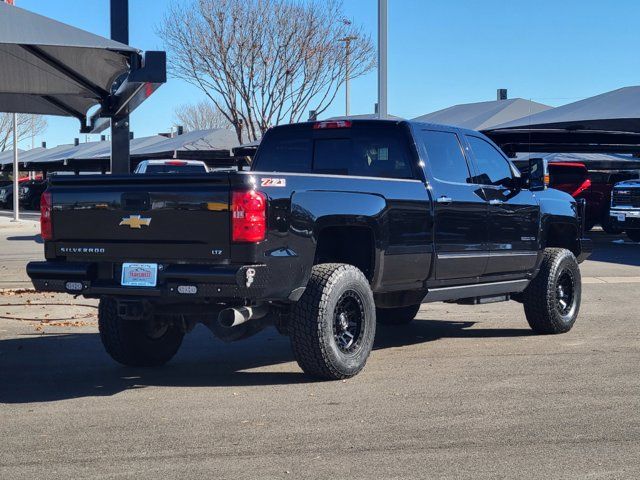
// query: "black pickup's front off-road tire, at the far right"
[[541, 298]]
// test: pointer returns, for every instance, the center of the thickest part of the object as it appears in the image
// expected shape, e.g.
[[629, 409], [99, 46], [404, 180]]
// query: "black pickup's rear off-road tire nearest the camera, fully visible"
[[312, 325]]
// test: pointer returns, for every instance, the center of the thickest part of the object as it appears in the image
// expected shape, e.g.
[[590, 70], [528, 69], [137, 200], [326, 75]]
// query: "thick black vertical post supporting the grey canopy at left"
[[120, 126]]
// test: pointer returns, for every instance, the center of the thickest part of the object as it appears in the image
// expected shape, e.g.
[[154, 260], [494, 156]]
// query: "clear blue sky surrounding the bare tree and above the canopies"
[[441, 53]]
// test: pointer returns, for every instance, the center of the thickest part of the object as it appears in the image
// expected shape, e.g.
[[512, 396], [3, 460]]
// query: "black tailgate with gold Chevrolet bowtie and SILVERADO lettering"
[[142, 217]]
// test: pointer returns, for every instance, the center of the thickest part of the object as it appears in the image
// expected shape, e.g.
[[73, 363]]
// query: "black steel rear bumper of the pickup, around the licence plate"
[[174, 281]]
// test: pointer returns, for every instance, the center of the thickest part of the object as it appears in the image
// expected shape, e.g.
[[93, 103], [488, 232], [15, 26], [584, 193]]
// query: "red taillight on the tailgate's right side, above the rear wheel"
[[248, 216]]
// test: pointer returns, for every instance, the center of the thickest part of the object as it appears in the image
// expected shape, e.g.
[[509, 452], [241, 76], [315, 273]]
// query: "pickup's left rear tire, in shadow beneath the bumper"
[[128, 341]]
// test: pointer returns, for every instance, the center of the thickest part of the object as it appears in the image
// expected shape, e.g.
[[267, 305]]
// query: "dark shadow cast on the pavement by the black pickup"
[[51, 367]]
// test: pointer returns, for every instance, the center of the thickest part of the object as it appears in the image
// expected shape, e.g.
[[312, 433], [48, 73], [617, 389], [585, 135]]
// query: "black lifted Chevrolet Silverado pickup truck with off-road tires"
[[337, 224]]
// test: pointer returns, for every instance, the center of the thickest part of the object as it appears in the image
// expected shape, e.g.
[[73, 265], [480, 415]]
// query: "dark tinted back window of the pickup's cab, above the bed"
[[362, 150]]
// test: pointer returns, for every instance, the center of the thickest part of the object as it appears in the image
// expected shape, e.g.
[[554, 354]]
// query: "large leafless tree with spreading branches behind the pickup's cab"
[[264, 62]]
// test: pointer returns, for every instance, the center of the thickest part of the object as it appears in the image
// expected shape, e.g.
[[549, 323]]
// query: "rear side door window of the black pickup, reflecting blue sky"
[[444, 156]]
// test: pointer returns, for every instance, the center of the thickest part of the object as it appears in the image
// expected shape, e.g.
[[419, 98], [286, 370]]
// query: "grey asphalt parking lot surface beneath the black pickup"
[[463, 392]]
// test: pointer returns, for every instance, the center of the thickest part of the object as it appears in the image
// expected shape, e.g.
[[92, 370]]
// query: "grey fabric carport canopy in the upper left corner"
[[51, 68]]
